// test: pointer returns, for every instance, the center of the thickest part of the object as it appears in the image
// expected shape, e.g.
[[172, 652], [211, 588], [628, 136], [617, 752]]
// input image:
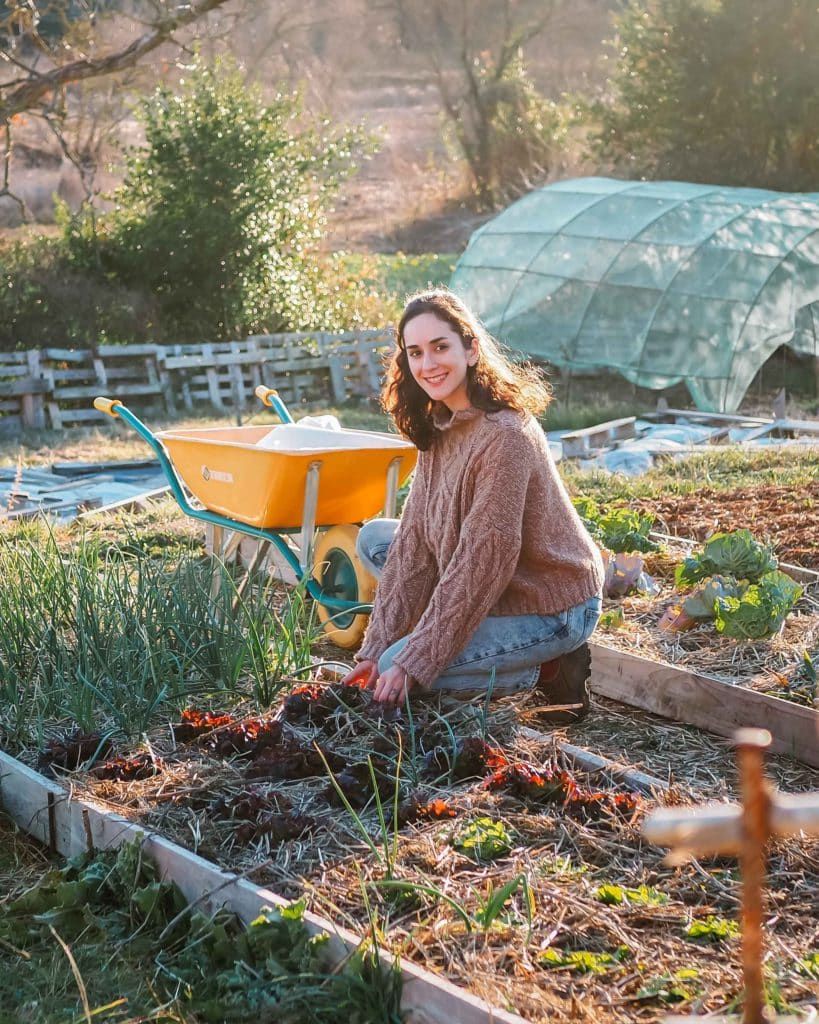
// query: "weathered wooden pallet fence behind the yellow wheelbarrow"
[[57, 388]]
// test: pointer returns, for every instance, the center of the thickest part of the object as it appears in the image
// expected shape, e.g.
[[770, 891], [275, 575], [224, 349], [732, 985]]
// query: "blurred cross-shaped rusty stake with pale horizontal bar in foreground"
[[728, 829]]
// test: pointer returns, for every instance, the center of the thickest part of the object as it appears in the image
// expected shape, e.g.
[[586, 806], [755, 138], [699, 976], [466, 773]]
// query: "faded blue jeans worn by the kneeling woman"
[[506, 651]]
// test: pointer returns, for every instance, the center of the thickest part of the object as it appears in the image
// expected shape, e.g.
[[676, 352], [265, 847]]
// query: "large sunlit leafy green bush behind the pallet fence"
[[221, 216]]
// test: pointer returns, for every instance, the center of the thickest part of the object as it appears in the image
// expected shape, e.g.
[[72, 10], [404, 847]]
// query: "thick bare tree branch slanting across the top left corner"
[[29, 95]]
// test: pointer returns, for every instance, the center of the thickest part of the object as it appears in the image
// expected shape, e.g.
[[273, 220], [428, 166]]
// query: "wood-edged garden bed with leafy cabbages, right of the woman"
[[718, 635]]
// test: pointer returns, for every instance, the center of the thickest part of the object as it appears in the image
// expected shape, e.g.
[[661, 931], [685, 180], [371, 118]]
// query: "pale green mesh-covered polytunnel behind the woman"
[[661, 281]]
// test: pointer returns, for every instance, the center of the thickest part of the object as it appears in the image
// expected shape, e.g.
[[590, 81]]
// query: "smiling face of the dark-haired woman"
[[439, 360]]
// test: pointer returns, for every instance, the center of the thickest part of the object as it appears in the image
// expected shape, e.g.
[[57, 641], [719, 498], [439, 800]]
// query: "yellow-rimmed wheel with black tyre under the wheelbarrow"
[[340, 574]]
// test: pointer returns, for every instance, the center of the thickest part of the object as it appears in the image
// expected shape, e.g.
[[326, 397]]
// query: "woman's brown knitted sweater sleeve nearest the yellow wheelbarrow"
[[407, 581]]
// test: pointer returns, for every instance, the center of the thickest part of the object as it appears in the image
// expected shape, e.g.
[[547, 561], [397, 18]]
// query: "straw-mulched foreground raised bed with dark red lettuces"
[[502, 877]]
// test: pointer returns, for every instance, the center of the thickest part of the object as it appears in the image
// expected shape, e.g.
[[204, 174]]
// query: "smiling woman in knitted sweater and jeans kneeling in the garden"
[[490, 575]]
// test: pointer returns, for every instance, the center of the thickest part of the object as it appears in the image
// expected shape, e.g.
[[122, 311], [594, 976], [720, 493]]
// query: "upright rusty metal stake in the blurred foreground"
[[751, 745]]
